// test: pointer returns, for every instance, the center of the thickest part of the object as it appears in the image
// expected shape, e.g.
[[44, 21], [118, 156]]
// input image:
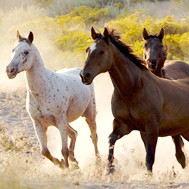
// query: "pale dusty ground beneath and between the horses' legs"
[[22, 165]]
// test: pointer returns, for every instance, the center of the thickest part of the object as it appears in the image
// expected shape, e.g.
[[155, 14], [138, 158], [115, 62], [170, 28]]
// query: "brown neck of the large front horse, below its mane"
[[124, 74]]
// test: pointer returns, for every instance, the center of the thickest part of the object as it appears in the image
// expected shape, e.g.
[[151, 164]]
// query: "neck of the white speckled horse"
[[36, 76]]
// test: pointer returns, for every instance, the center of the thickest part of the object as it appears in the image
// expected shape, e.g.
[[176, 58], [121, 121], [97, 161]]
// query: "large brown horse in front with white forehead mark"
[[136, 90]]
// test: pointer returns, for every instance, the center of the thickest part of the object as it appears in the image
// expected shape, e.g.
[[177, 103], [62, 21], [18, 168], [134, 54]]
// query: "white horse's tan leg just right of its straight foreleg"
[[72, 134]]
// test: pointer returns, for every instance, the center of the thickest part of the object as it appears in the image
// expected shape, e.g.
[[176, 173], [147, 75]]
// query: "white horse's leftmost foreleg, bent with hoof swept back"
[[42, 138]]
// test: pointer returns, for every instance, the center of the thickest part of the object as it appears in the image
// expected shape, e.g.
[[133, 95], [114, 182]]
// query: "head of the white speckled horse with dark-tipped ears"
[[22, 59]]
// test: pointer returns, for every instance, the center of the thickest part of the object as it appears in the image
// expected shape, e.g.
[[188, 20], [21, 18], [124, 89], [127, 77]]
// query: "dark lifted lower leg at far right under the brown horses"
[[178, 147]]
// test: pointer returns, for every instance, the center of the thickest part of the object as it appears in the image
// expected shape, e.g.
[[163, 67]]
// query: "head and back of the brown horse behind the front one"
[[155, 54]]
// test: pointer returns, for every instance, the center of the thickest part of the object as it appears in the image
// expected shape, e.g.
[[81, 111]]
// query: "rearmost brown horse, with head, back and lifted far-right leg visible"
[[154, 54]]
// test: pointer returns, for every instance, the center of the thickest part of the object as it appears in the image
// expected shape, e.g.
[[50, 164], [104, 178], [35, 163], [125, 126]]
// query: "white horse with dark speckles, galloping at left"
[[53, 99]]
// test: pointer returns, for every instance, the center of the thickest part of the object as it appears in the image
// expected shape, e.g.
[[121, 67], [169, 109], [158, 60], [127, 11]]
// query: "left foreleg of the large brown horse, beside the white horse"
[[119, 130]]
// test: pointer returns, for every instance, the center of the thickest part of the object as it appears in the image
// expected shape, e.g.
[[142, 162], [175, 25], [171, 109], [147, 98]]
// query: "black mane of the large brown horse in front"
[[125, 50]]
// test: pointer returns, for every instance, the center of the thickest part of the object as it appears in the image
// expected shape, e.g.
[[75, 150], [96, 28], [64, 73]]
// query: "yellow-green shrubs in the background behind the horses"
[[69, 29]]
